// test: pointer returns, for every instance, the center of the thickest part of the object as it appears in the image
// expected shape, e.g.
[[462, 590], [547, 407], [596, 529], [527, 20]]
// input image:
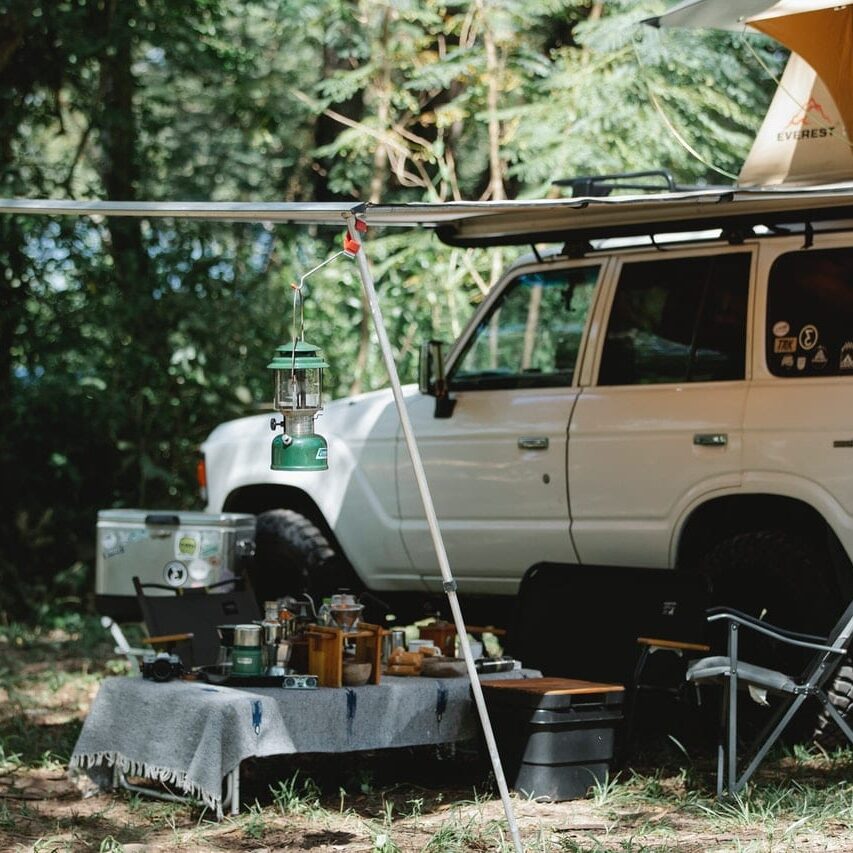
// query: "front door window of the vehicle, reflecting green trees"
[[532, 334]]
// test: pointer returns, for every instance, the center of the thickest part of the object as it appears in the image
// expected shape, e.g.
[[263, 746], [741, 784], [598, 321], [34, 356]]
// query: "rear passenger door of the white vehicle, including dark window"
[[661, 423]]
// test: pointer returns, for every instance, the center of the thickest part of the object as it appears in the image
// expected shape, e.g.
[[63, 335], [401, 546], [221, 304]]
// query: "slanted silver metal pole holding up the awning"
[[432, 521]]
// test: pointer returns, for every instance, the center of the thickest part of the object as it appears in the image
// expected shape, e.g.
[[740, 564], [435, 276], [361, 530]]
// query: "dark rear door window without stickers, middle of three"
[[678, 320]]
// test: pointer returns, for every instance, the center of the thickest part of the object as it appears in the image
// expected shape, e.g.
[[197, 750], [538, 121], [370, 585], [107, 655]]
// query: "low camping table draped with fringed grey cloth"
[[194, 736]]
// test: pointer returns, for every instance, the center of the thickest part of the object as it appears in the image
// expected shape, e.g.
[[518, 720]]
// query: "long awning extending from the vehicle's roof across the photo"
[[488, 223]]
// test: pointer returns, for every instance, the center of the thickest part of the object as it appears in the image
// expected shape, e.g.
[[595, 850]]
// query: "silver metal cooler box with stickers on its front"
[[177, 549]]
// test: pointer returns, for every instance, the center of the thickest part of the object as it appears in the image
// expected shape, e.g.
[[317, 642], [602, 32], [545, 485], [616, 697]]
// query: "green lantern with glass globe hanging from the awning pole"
[[298, 371]]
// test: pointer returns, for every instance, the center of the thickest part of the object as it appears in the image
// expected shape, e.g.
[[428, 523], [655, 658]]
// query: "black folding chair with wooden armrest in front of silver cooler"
[[191, 616]]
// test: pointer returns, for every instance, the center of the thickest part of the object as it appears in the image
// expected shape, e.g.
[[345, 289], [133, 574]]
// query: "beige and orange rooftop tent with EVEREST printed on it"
[[805, 136]]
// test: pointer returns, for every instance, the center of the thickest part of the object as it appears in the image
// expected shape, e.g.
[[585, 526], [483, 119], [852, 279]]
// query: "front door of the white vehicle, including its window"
[[497, 466]]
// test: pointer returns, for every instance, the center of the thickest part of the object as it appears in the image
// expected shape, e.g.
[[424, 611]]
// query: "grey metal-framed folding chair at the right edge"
[[829, 652]]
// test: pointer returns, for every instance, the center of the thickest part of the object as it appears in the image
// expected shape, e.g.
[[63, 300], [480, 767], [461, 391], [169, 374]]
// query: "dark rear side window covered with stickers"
[[810, 314]]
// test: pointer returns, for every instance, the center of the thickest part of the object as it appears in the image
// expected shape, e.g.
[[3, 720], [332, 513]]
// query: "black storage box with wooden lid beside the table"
[[555, 736]]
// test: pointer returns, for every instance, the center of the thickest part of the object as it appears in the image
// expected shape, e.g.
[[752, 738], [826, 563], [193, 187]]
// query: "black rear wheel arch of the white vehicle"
[[726, 516]]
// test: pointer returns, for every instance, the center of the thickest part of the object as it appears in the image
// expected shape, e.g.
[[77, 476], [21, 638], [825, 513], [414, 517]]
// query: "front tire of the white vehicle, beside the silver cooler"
[[293, 556]]
